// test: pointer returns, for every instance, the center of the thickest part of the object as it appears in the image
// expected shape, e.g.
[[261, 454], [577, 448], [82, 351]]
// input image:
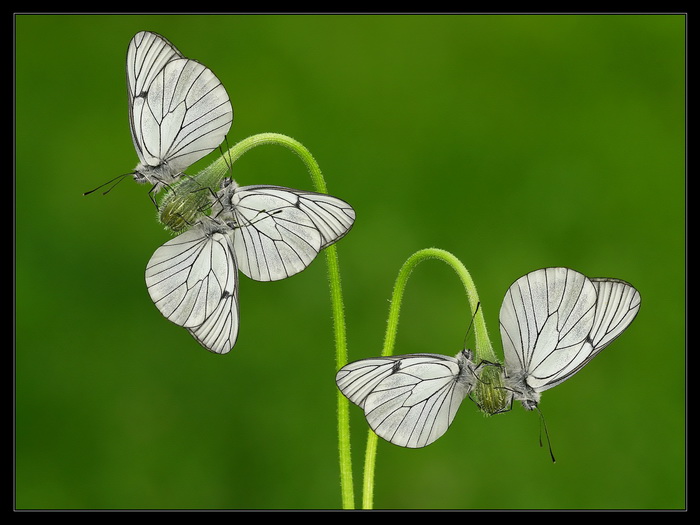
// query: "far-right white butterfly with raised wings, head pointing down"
[[554, 321]]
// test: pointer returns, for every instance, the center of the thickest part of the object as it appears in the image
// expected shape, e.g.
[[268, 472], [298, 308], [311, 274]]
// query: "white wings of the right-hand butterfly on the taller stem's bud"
[[279, 231]]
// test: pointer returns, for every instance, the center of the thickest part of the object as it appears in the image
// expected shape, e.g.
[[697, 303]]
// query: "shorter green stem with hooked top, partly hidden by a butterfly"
[[483, 350]]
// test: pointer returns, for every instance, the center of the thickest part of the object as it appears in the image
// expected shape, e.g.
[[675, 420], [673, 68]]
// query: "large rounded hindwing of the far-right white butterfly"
[[545, 320]]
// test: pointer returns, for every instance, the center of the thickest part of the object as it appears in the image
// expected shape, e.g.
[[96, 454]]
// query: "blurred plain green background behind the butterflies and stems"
[[513, 141]]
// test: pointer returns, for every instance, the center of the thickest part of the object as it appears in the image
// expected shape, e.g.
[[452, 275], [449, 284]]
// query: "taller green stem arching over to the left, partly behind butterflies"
[[214, 174]]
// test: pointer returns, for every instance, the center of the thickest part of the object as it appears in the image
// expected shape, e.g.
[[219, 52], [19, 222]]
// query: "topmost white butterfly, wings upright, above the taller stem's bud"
[[178, 110]]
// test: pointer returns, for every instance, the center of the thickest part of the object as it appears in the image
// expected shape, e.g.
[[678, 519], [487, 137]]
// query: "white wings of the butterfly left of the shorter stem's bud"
[[409, 400]]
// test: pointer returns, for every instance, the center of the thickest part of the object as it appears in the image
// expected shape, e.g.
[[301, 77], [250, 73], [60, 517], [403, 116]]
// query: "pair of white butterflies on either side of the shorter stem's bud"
[[553, 322]]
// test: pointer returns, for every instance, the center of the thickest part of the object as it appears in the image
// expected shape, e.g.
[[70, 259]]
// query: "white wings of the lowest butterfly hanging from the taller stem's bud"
[[193, 281]]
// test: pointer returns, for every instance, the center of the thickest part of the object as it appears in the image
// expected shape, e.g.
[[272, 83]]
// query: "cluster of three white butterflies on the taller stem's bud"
[[179, 112]]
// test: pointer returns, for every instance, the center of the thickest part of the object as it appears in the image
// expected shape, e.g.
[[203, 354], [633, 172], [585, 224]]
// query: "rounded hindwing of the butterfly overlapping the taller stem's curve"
[[273, 237]]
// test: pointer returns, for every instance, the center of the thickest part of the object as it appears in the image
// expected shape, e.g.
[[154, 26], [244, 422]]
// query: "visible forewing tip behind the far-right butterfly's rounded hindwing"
[[617, 305]]
